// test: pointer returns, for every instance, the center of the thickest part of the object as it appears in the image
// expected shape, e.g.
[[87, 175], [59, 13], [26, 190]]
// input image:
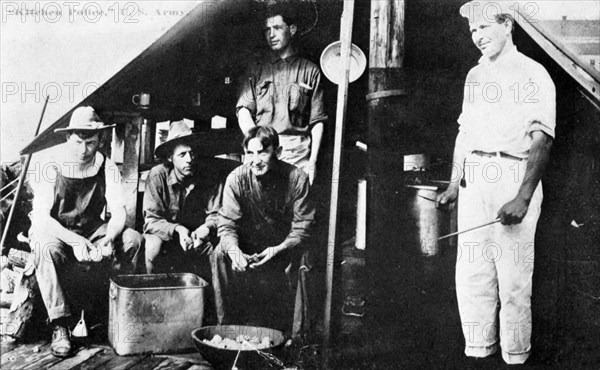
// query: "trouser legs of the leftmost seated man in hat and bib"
[[56, 265]]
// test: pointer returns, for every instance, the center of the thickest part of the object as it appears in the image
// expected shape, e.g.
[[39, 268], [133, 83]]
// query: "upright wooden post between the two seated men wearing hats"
[[131, 162]]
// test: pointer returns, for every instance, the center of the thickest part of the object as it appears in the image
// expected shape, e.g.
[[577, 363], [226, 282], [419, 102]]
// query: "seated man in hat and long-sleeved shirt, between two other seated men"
[[181, 201]]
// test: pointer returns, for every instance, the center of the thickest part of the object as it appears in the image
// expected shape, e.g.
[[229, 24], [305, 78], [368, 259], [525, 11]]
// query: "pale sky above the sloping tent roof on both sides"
[[67, 49]]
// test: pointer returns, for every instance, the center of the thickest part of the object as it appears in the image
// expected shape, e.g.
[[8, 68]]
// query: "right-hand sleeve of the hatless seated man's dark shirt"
[[304, 214]]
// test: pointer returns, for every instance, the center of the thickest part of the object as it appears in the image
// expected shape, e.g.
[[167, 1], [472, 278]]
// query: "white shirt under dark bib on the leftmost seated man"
[[43, 172]]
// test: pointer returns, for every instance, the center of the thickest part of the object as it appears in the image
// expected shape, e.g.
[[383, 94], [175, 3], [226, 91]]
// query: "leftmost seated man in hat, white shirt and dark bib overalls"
[[66, 222]]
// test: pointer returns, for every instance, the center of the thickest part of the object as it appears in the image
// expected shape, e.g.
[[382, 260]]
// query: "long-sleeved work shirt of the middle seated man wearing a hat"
[[167, 203]]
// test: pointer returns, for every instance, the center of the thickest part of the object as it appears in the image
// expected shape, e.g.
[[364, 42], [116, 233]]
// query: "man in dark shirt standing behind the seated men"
[[283, 91]]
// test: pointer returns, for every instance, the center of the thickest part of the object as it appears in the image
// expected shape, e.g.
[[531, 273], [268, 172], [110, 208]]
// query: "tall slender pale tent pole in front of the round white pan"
[[342, 100]]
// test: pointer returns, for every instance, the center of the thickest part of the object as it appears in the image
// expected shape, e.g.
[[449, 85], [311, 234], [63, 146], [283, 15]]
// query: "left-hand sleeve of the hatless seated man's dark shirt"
[[230, 214]]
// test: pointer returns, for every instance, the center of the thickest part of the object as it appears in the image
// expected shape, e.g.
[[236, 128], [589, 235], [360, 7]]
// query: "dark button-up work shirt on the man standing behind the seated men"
[[285, 94]]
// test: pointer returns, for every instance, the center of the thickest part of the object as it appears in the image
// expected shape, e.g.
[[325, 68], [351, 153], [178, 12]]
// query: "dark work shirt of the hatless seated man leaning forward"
[[260, 213]]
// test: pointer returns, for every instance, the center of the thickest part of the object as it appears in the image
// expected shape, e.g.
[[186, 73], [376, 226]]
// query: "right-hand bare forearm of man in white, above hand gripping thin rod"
[[536, 164]]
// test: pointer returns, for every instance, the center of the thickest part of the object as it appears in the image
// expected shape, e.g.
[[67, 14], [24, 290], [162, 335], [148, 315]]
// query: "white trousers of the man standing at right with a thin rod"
[[494, 264]]
